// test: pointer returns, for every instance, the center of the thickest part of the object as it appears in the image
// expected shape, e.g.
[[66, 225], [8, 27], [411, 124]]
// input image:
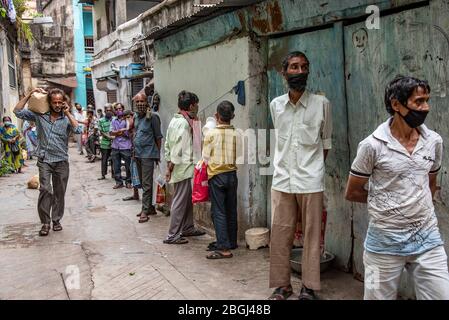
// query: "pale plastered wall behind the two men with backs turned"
[[212, 72]]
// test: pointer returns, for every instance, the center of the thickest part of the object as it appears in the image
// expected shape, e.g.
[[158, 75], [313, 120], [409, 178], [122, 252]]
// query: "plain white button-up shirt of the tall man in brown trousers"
[[303, 131]]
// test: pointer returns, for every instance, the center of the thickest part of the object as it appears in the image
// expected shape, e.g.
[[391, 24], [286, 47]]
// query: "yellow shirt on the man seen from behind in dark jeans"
[[219, 150]]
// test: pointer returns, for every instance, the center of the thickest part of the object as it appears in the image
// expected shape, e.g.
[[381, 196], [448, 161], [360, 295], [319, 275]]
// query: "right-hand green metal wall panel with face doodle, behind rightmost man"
[[414, 42]]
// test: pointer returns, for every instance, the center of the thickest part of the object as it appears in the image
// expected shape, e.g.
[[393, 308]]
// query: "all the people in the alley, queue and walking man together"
[[394, 172]]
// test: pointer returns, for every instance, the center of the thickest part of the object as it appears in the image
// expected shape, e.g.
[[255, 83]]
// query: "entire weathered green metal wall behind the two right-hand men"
[[352, 66]]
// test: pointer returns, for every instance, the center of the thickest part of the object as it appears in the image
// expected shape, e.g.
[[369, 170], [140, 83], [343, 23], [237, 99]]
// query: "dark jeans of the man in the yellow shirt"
[[223, 197]]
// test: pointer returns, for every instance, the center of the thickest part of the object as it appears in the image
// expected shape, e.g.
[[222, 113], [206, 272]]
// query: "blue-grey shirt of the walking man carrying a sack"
[[52, 137]]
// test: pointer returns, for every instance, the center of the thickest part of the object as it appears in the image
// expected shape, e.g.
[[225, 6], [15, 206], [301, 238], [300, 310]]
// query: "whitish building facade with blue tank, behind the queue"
[[119, 65]]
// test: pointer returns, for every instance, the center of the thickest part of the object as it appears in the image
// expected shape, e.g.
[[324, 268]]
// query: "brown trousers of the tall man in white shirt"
[[286, 209]]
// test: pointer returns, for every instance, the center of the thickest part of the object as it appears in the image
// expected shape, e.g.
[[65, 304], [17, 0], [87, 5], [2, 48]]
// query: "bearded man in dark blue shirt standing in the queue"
[[147, 146]]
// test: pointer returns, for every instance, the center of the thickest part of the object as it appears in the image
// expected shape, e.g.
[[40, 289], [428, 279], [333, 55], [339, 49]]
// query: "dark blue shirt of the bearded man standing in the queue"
[[147, 132]]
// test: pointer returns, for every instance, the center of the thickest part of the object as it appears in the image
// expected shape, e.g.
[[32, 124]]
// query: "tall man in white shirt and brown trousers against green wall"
[[303, 126]]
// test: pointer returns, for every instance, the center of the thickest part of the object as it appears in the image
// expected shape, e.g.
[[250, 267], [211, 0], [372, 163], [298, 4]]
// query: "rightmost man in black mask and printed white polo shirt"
[[400, 162]]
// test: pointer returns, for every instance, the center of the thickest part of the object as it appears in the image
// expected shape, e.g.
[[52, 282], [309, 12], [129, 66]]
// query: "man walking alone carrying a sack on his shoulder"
[[53, 131]]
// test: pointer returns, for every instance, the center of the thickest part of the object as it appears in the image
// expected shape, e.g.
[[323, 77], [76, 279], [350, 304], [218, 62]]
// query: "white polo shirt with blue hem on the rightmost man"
[[402, 218]]
